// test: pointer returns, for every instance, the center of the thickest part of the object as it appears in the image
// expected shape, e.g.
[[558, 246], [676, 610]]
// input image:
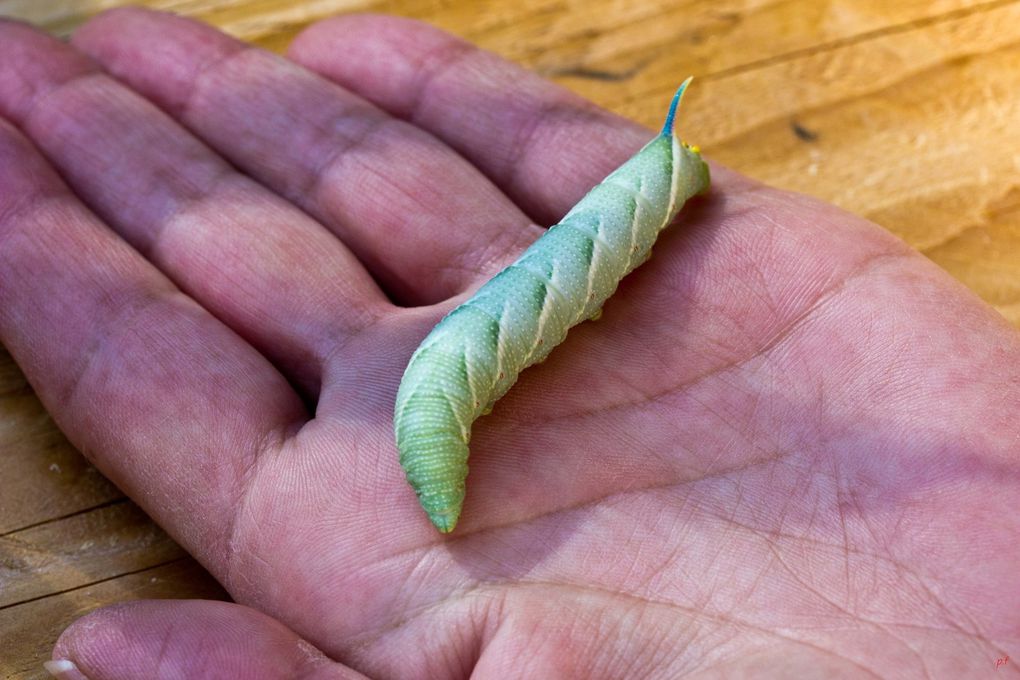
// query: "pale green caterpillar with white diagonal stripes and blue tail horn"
[[476, 353]]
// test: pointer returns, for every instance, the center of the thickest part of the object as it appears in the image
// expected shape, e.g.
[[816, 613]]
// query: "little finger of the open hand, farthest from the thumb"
[[543, 145]]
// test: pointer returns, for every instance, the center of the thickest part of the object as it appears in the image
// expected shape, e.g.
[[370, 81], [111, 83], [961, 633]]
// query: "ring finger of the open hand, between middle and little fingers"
[[426, 223]]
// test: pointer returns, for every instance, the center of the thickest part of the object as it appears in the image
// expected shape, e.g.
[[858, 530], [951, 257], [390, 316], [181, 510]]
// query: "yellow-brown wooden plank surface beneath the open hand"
[[905, 113]]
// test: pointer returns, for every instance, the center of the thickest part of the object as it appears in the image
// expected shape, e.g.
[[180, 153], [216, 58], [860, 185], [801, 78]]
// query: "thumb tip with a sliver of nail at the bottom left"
[[187, 639]]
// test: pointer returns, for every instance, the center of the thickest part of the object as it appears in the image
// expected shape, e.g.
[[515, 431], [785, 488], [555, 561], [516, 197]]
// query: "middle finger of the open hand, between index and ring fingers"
[[265, 269]]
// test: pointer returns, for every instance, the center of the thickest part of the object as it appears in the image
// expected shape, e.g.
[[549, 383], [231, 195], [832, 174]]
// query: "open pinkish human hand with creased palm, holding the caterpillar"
[[789, 448]]
